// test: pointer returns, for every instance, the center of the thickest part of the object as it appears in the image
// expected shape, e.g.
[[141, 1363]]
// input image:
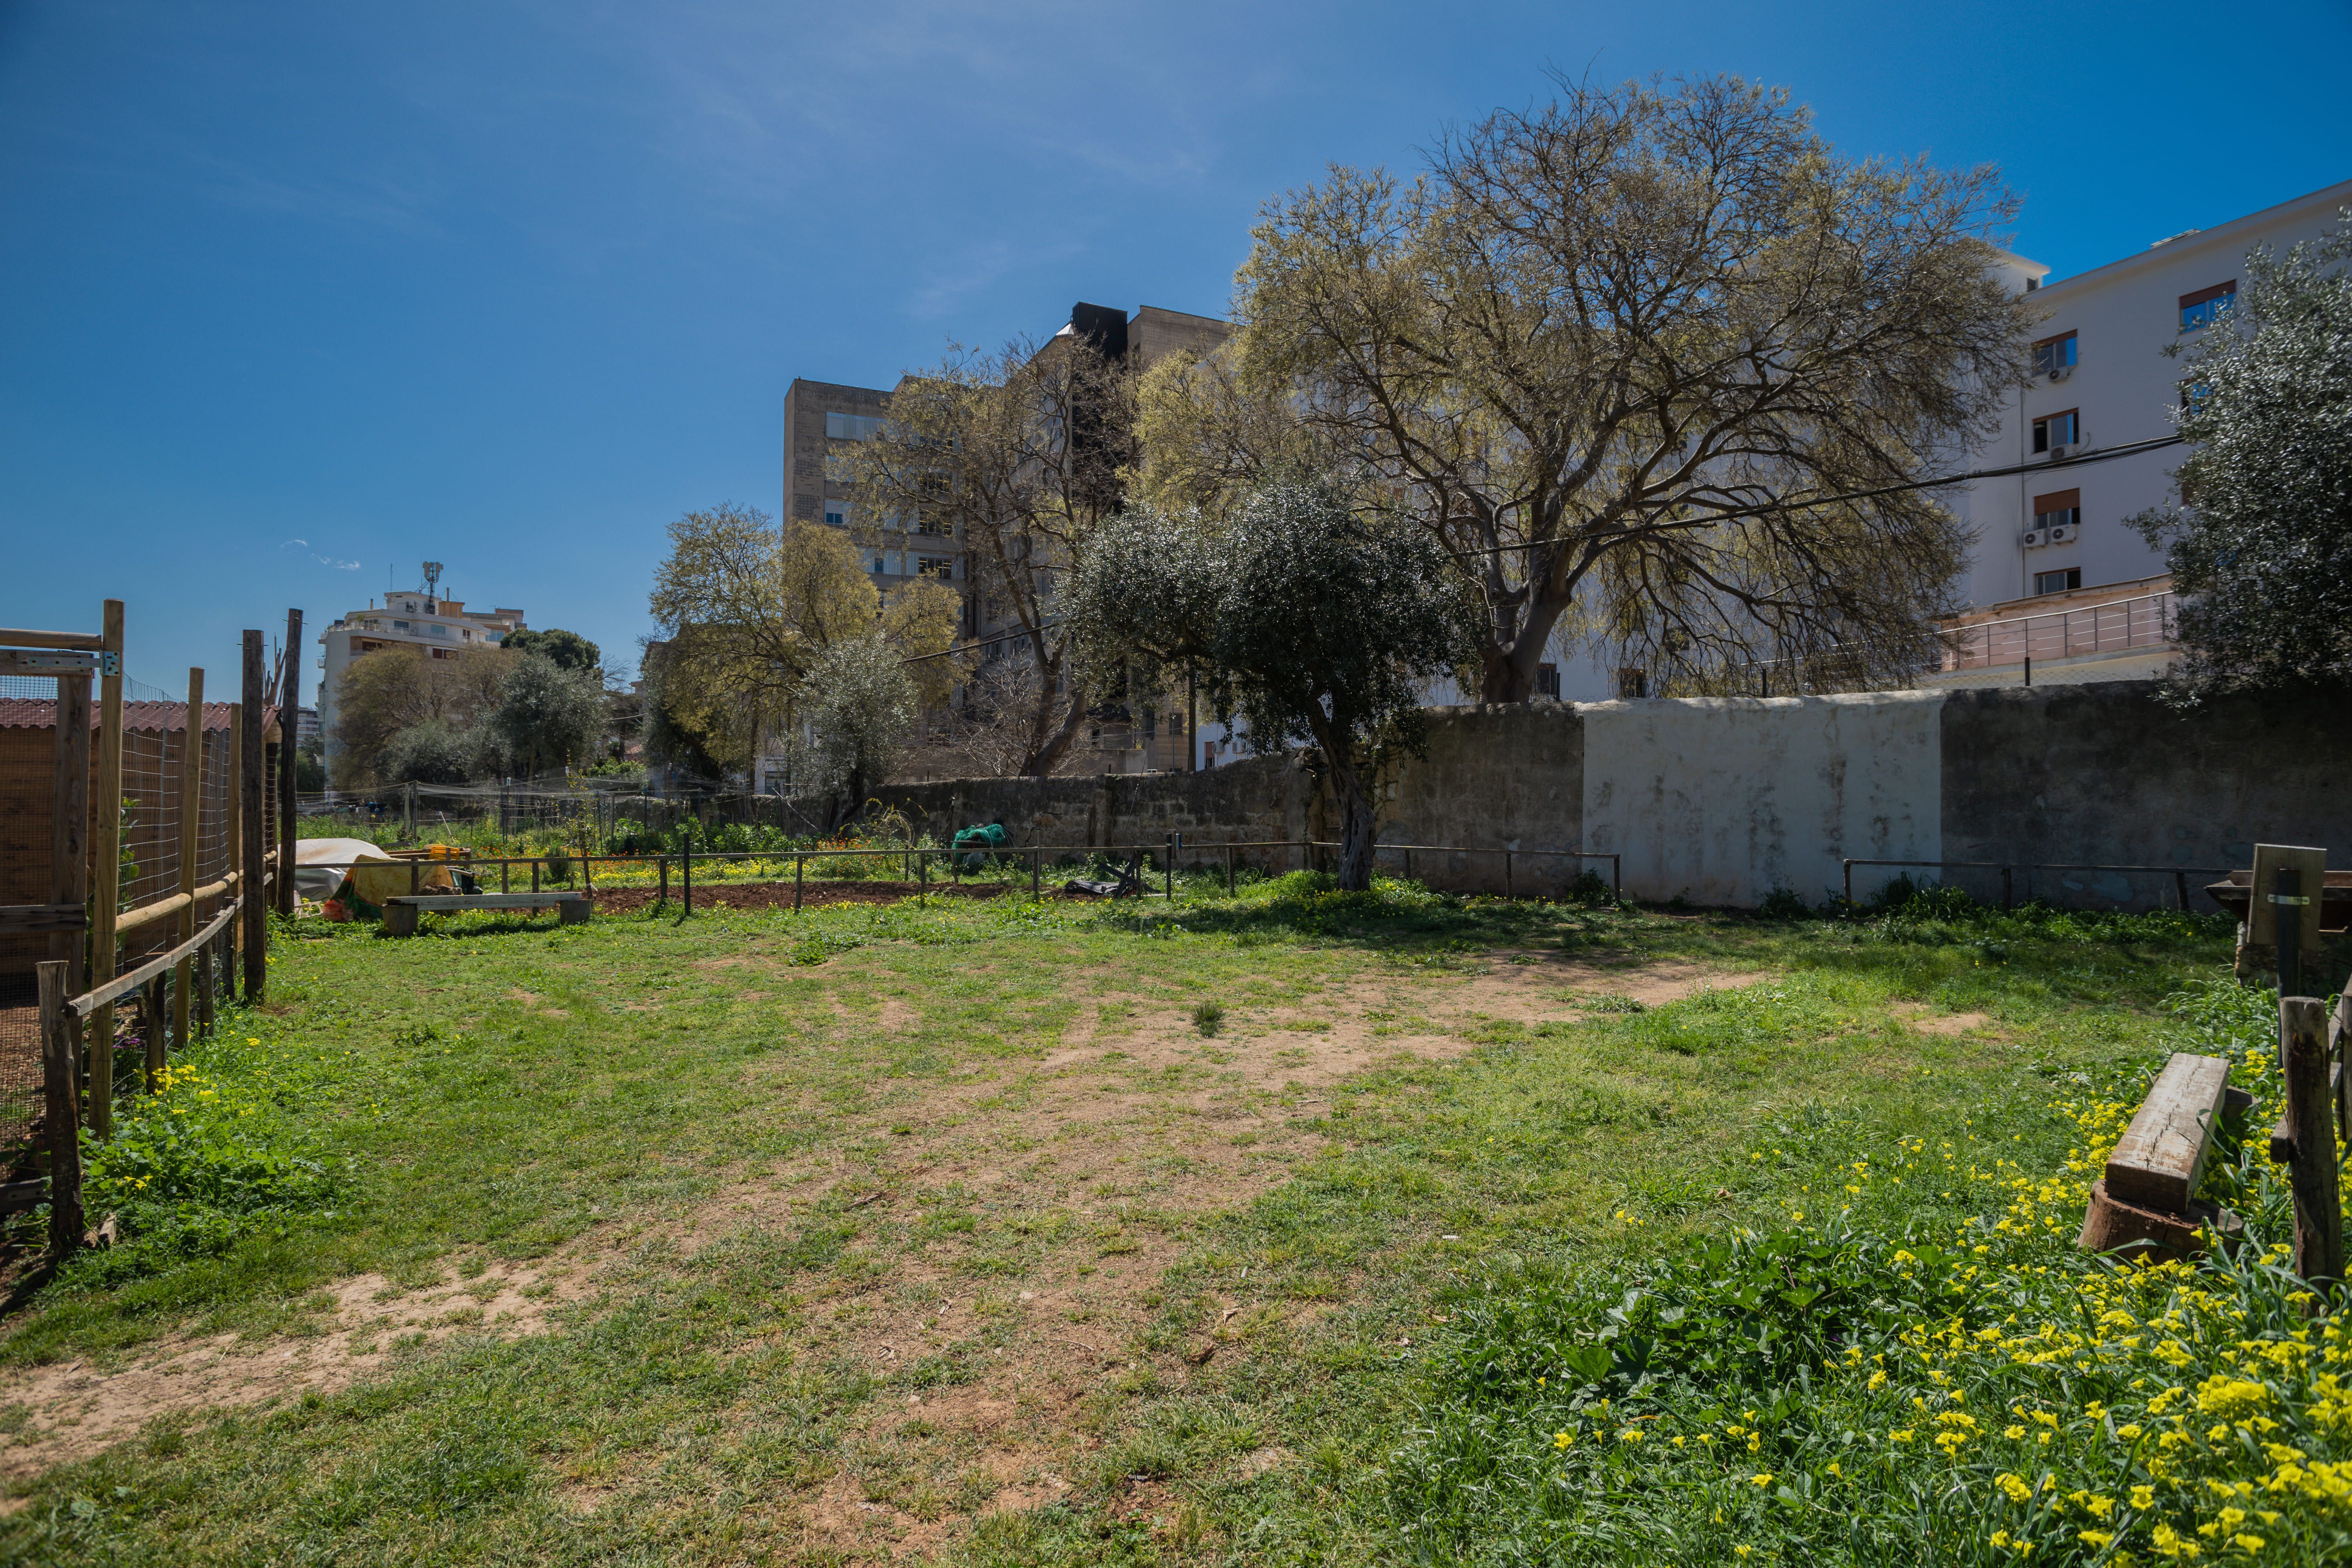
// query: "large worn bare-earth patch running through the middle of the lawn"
[[1107, 1153]]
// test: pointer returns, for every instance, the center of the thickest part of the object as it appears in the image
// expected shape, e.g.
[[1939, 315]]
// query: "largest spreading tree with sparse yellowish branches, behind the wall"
[[1617, 354]]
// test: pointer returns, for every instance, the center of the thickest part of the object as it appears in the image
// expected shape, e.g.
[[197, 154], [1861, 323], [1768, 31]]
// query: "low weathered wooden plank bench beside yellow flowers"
[[2149, 1193]]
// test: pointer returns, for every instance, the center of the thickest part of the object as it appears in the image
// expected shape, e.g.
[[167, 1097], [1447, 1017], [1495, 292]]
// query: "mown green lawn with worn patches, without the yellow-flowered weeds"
[[761, 1151]]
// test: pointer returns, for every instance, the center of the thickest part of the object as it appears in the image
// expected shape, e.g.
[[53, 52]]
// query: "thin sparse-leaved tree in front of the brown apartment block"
[[1022, 455]]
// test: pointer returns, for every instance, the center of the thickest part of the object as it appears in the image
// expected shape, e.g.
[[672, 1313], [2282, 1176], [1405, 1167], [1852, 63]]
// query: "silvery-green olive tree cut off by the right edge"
[[2261, 551]]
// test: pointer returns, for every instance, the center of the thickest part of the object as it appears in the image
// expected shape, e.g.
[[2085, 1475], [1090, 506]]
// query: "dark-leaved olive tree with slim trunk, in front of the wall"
[[1311, 622]]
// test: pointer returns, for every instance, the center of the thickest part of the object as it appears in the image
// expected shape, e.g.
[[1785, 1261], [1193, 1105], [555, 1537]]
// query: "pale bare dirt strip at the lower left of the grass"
[[76, 1409]]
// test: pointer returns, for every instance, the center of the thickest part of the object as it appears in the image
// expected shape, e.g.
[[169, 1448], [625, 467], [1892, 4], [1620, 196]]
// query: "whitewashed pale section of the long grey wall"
[[1723, 800]]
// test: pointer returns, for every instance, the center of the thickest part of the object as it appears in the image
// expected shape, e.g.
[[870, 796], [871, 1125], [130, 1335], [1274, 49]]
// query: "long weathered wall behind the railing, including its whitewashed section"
[[1723, 800]]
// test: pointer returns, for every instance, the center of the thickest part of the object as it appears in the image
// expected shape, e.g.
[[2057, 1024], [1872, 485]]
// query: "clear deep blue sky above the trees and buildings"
[[295, 295]]
